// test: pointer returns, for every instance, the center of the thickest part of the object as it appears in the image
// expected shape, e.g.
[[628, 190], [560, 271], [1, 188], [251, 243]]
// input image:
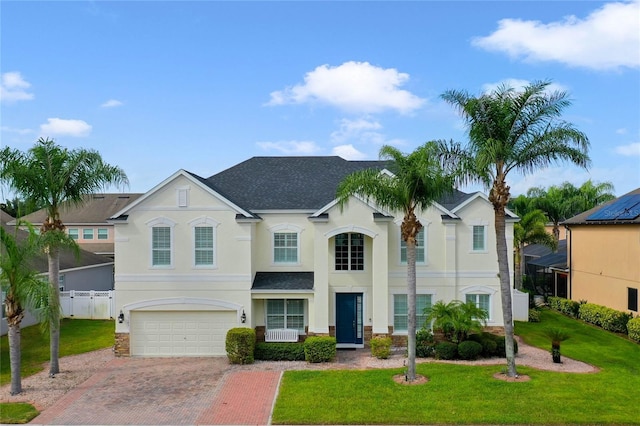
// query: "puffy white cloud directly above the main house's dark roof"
[[353, 86]]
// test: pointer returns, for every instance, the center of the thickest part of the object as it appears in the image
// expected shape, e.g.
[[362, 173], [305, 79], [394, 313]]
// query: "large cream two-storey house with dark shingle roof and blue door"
[[264, 244]]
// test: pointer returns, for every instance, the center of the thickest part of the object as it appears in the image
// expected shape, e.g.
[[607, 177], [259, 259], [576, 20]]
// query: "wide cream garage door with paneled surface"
[[180, 333]]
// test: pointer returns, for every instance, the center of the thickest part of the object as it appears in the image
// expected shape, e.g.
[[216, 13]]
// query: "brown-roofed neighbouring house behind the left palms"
[[87, 224]]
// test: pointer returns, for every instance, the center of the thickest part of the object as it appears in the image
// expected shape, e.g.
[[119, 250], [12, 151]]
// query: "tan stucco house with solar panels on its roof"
[[604, 254]]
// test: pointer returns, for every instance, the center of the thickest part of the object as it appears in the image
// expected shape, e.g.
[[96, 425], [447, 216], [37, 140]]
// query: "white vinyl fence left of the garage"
[[88, 304]]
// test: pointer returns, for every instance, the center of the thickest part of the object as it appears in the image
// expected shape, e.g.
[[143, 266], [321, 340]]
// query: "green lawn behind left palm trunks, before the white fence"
[[76, 336]]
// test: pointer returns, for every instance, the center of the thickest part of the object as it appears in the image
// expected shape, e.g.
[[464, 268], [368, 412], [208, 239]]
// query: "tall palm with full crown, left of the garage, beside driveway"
[[50, 175]]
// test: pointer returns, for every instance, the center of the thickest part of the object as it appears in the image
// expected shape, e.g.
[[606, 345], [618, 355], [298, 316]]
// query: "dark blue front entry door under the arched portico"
[[349, 329]]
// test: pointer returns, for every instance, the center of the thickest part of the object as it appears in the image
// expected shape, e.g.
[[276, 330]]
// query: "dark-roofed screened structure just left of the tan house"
[[547, 271]]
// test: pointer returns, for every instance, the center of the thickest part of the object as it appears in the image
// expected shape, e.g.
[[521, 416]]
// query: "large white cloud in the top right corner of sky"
[[608, 38]]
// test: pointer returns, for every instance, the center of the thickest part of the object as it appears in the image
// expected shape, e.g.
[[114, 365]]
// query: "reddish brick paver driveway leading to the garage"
[[161, 391]]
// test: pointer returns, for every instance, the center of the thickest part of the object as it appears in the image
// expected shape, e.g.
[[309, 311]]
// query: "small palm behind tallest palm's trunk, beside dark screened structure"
[[530, 230]]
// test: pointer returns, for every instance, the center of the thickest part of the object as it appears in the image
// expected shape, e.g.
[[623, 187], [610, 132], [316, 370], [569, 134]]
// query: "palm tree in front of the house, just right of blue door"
[[417, 181]]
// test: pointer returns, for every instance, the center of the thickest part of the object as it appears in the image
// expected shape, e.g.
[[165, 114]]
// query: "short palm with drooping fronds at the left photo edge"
[[22, 287]]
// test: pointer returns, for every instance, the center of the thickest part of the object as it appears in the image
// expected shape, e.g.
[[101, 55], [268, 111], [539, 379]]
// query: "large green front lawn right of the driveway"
[[459, 394]]
